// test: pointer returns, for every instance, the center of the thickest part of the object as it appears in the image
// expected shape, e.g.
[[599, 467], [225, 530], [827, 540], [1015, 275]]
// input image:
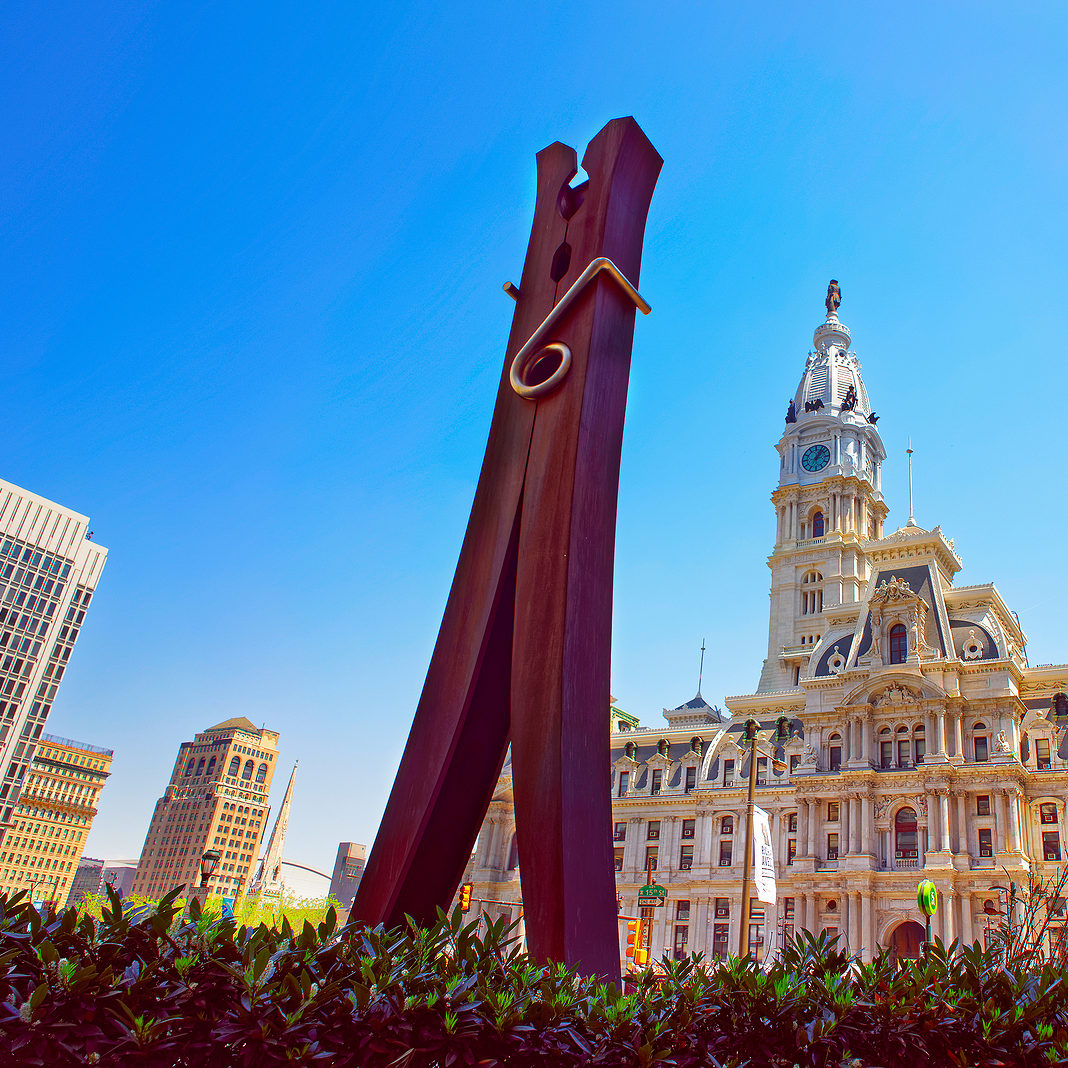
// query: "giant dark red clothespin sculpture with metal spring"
[[524, 654]]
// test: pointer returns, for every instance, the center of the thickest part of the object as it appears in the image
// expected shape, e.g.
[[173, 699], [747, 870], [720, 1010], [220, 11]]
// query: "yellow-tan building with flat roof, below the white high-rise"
[[53, 819]]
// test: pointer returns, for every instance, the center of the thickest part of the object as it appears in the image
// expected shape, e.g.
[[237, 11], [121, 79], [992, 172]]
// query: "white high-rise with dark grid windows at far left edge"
[[49, 572]]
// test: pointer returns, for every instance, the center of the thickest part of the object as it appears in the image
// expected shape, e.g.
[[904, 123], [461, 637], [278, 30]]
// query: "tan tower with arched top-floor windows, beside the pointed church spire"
[[216, 799]]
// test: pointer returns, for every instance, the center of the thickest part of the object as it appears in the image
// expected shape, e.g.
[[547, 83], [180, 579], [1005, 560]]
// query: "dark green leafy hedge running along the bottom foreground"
[[140, 986]]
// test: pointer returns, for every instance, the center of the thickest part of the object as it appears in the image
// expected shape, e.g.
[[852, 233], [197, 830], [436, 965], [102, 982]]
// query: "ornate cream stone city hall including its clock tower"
[[922, 744]]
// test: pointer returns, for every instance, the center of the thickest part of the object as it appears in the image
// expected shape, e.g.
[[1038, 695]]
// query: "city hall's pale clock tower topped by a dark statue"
[[828, 504]]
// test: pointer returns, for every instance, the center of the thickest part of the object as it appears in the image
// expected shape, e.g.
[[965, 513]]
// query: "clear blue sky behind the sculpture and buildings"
[[252, 323]]
